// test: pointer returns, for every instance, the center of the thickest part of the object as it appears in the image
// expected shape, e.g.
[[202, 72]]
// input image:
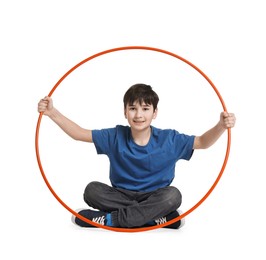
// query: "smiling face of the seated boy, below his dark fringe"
[[139, 116]]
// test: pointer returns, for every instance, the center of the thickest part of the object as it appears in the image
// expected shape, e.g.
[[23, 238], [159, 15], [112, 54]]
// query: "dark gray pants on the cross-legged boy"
[[131, 208]]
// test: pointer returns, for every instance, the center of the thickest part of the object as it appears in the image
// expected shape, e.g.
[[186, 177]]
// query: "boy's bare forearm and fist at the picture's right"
[[227, 120]]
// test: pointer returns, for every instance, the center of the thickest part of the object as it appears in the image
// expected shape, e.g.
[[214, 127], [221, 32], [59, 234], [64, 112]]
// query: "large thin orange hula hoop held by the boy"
[[140, 228]]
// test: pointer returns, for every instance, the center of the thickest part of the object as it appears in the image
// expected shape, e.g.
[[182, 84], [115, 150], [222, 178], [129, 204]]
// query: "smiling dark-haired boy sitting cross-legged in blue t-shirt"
[[142, 162]]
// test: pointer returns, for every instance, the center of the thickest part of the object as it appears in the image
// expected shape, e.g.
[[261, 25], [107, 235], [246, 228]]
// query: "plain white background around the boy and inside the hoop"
[[42, 40]]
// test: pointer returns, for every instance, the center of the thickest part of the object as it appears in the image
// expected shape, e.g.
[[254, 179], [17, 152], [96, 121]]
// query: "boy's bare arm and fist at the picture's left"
[[69, 127]]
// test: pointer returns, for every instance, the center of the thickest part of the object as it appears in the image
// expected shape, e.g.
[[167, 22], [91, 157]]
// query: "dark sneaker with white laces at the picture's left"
[[98, 217]]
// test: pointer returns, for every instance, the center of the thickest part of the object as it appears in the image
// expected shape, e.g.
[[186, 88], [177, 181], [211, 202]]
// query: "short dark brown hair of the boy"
[[141, 93]]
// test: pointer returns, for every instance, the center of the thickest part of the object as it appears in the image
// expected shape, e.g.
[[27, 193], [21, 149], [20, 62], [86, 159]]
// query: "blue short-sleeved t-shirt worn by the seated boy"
[[142, 168]]
